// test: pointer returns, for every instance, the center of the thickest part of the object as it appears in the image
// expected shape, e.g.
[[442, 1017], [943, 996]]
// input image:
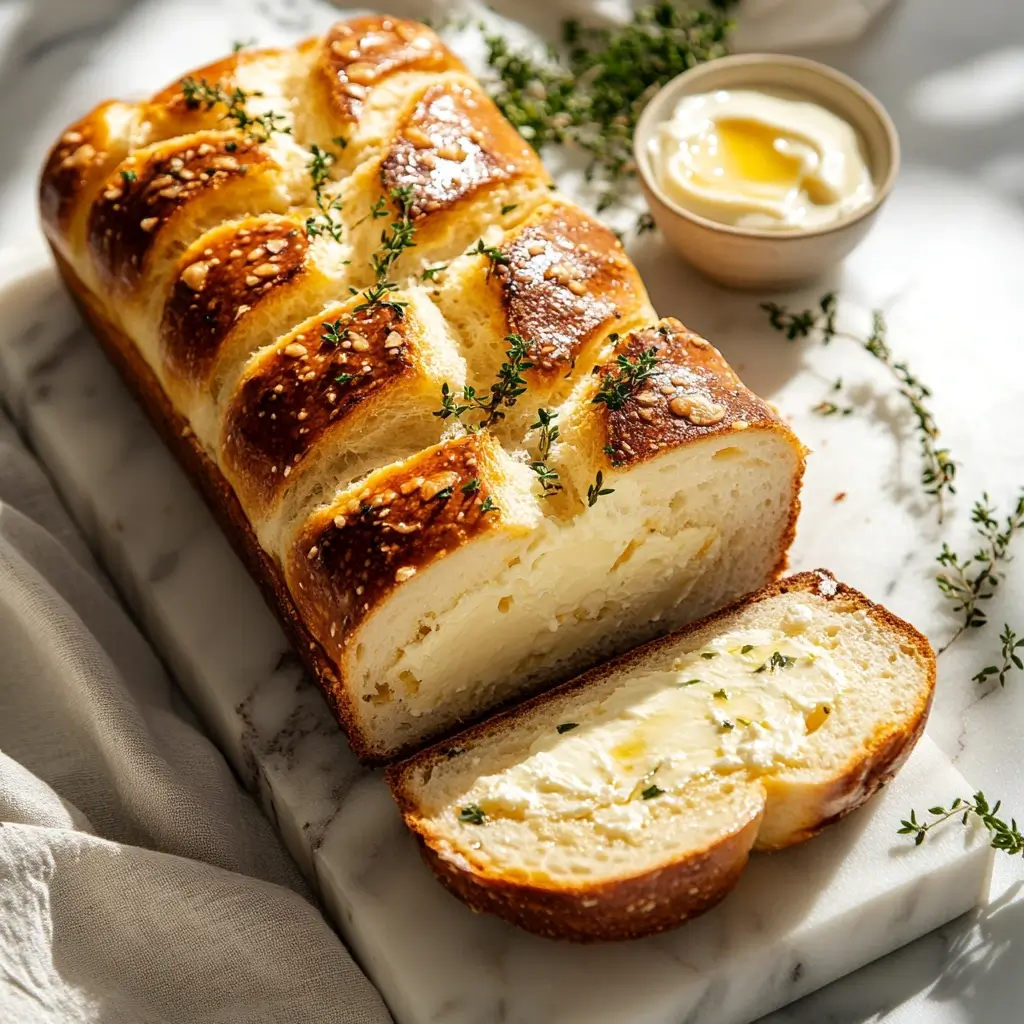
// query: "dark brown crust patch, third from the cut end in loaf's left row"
[[220, 282]]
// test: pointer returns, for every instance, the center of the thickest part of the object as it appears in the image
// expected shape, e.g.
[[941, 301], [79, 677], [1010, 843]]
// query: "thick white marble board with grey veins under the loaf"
[[798, 921]]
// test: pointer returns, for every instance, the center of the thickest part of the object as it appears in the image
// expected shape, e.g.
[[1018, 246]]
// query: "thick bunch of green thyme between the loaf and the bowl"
[[593, 89]]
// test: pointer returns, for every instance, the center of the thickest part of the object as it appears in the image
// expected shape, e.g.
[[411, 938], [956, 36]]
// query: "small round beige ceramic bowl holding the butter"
[[754, 259]]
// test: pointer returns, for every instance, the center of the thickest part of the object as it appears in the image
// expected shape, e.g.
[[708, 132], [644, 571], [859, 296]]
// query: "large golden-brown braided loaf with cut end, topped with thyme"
[[291, 255]]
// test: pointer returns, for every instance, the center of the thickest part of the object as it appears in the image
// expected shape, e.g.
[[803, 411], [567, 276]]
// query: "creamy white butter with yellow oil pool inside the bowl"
[[751, 159]]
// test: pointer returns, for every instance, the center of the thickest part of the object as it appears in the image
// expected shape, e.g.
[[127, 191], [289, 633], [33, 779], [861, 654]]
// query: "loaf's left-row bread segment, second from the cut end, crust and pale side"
[[343, 394]]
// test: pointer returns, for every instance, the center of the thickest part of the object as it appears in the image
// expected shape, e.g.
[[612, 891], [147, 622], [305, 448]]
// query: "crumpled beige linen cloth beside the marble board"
[[139, 883]]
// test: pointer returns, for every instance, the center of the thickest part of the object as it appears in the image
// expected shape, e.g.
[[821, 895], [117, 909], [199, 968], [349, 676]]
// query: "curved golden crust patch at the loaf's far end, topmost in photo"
[[359, 55]]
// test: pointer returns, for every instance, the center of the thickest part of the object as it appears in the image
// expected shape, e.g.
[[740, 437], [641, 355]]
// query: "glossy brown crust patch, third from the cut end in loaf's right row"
[[454, 145]]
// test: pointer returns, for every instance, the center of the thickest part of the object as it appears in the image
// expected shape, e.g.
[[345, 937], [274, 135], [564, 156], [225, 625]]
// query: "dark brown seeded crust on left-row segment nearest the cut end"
[[349, 560]]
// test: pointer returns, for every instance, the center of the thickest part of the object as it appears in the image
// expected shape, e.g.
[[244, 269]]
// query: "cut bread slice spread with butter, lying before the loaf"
[[627, 801]]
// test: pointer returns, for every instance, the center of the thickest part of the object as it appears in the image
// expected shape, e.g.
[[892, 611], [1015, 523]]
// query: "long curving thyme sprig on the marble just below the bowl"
[[938, 468]]
